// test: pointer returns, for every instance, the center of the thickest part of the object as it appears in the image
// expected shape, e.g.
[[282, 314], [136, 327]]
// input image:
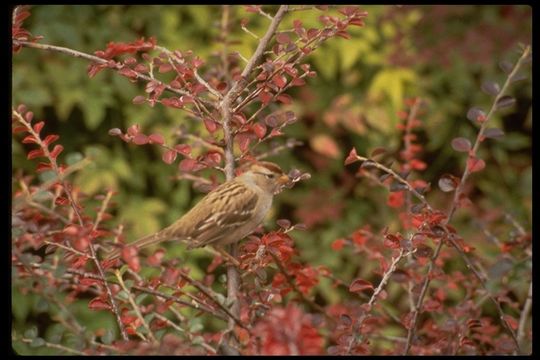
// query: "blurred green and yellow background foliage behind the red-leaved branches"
[[439, 53]]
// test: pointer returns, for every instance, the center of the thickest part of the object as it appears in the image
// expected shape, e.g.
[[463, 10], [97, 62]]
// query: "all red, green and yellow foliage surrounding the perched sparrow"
[[118, 136]]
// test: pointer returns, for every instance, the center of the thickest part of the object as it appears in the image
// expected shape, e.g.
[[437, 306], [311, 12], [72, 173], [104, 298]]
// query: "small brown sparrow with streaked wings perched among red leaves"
[[226, 214]]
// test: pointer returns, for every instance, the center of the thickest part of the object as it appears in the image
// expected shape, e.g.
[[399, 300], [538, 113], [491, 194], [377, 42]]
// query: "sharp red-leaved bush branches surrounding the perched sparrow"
[[267, 305]]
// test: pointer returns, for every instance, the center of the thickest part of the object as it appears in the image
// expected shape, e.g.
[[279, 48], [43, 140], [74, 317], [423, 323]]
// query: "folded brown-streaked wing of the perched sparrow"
[[227, 208]]
